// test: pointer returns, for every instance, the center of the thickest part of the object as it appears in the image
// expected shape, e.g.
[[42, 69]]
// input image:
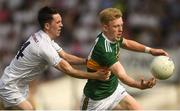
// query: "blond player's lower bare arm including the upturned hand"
[[119, 71]]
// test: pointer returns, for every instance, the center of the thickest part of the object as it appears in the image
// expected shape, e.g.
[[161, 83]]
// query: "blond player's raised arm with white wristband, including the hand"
[[135, 46]]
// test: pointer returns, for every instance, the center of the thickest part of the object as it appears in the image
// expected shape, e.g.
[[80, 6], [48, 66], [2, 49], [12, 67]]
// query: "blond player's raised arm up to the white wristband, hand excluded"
[[135, 46]]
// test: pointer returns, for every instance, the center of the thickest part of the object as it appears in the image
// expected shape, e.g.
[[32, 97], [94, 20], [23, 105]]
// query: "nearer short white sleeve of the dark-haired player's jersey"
[[49, 53]]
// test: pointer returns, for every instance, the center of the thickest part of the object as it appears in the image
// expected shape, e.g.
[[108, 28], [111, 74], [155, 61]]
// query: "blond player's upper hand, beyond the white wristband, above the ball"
[[158, 52]]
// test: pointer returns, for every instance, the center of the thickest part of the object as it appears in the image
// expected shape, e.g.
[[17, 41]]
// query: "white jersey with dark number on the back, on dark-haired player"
[[35, 55]]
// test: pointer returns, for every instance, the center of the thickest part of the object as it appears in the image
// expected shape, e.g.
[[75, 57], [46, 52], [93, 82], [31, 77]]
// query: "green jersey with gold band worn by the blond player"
[[104, 54]]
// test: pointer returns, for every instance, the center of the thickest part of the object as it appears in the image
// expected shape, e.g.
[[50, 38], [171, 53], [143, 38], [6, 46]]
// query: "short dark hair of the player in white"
[[45, 15]]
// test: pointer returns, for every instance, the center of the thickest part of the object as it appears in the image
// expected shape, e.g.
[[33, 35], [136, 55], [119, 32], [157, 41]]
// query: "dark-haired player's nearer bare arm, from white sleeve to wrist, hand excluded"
[[65, 67]]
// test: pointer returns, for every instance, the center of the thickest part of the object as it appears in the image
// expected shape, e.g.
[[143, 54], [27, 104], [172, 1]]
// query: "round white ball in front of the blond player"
[[162, 67]]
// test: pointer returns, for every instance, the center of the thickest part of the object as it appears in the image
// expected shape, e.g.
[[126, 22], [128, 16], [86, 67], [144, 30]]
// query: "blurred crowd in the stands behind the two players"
[[155, 23]]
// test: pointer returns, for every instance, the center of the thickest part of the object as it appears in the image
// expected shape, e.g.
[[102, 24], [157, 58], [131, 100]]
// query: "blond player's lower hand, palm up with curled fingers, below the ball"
[[145, 84]]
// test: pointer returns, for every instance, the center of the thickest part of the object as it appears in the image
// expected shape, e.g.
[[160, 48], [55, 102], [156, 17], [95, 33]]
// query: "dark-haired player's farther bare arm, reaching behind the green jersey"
[[72, 59]]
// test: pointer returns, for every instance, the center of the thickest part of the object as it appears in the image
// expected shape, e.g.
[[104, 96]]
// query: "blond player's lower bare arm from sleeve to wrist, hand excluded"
[[120, 72]]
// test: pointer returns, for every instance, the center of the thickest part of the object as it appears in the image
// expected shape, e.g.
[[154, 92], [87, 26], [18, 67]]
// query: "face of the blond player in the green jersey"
[[114, 29]]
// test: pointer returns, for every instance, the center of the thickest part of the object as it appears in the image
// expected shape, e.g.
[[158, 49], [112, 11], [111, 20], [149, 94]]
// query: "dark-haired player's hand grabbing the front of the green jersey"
[[103, 74]]
